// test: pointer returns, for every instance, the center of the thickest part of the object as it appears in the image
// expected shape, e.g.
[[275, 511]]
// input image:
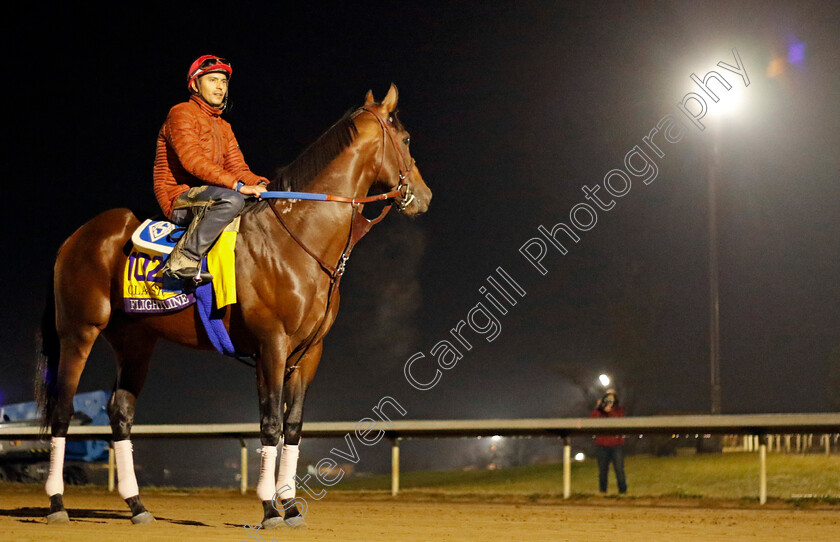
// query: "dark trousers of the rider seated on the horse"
[[206, 210]]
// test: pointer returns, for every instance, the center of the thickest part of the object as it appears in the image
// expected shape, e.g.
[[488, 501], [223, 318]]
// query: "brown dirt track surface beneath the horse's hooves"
[[221, 515]]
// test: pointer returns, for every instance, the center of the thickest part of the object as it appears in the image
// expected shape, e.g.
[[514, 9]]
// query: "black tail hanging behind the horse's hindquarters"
[[48, 350]]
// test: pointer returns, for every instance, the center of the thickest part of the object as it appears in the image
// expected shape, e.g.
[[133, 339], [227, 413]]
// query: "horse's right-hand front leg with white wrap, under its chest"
[[294, 394]]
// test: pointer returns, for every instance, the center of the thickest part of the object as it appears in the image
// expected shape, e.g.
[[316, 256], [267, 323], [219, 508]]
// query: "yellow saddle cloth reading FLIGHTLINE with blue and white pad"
[[146, 290]]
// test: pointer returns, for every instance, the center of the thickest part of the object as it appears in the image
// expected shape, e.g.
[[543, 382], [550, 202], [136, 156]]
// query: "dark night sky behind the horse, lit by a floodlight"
[[512, 109]]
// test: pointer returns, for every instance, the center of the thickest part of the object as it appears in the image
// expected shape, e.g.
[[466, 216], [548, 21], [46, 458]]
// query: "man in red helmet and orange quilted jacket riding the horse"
[[201, 178]]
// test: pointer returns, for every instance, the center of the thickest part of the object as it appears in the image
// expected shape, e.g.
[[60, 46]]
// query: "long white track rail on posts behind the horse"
[[759, 425]]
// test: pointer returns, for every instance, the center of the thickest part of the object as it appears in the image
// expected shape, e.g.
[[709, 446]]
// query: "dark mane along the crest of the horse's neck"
[[297, 175]]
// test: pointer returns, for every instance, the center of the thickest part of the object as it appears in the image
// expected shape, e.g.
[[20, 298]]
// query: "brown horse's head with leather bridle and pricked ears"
[[396, 169]]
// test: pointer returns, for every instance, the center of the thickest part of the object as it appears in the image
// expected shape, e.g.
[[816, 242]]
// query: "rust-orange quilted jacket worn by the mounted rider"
[[195, 147]]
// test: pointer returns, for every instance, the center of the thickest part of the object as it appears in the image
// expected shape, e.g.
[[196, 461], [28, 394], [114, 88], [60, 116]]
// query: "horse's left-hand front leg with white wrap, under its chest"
[[271, 367]]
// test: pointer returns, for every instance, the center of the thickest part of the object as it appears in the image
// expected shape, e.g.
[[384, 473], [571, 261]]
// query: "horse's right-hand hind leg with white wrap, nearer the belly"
[[133, 346]]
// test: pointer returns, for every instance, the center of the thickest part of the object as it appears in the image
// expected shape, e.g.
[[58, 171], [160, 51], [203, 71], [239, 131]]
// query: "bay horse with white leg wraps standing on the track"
[[290, 255]]
